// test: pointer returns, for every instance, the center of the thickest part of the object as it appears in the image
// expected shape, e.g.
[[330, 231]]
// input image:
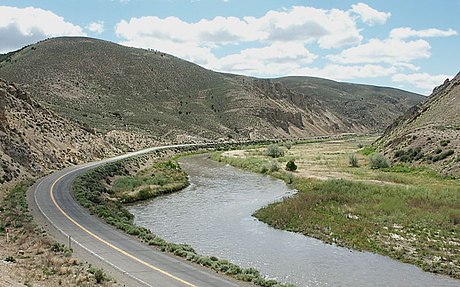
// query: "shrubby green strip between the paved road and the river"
[[91, 191]]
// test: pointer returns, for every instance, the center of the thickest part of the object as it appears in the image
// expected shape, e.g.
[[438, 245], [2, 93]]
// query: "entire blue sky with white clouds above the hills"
[[411, 45]]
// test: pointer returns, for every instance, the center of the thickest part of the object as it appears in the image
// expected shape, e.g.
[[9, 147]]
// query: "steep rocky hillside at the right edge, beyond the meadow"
[[429, 133]]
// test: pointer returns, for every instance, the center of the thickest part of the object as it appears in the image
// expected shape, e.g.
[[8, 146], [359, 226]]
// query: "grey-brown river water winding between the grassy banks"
[[213, 215]]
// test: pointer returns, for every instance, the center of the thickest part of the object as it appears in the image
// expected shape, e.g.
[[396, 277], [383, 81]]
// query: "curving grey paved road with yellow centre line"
[[129, 258]]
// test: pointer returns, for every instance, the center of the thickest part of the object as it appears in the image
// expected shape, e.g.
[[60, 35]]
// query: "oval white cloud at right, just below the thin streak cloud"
[[391, 51]]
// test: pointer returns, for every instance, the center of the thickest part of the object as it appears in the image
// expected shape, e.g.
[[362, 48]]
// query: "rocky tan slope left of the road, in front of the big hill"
[[34, 140]]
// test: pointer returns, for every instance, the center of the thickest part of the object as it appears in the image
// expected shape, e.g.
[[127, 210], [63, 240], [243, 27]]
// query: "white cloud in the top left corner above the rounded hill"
[[23, 26]]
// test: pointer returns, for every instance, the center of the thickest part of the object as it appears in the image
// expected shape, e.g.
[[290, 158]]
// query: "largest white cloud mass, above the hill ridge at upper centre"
[[283, 35]]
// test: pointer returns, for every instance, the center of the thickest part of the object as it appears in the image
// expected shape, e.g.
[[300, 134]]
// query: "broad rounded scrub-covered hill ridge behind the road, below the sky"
[[144, 93]]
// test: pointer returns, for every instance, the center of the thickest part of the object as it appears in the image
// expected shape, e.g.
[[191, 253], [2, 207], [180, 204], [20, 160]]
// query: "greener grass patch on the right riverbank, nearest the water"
[[413, 224]]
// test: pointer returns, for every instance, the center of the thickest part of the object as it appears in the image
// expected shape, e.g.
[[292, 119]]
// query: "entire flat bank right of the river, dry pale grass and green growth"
[[410, 214]]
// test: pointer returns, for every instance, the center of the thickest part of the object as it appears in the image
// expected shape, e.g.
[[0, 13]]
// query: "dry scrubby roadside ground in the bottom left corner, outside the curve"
[[32, 255]]
